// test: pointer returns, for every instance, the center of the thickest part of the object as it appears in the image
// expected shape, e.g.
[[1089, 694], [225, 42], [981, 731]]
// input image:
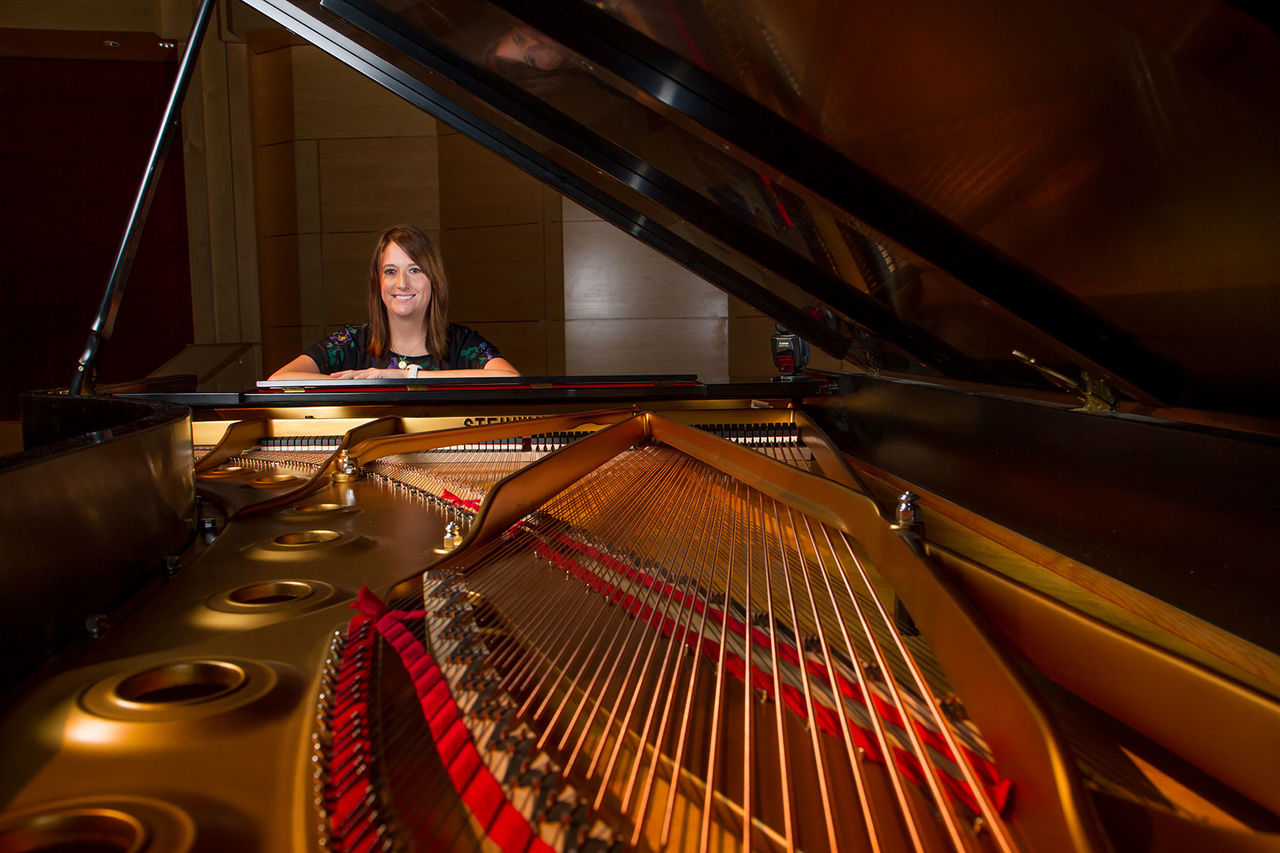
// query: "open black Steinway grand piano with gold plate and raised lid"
[[1005, 581]]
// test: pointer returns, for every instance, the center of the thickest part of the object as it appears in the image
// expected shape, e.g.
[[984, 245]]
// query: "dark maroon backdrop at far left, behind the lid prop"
[[75, 142]]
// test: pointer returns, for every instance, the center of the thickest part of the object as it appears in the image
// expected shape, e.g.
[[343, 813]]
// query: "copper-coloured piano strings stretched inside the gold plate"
[[691, 656]]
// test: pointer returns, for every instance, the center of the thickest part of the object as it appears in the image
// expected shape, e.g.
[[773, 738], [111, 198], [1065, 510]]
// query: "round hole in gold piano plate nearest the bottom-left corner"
[[83, 831]]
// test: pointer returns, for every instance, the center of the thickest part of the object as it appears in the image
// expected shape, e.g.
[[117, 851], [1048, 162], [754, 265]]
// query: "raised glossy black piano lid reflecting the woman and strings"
[[944, 186]]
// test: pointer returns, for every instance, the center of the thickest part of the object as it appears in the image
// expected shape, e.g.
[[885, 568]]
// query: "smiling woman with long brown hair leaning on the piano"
[[409, 325]]
